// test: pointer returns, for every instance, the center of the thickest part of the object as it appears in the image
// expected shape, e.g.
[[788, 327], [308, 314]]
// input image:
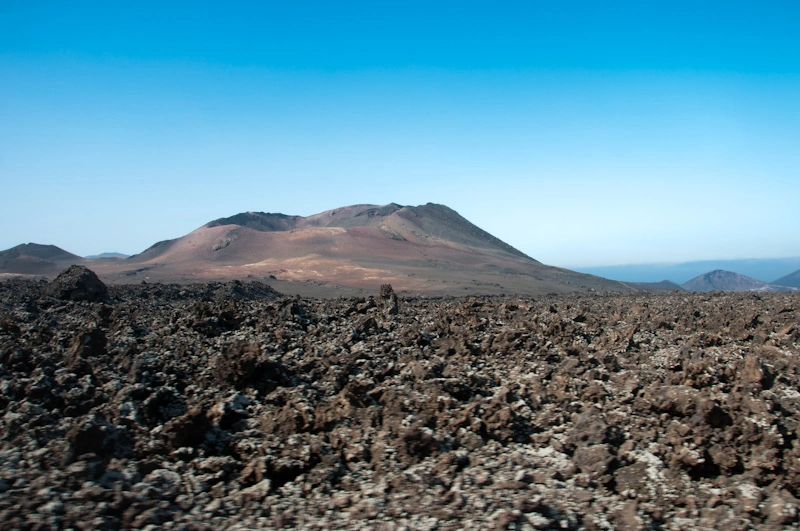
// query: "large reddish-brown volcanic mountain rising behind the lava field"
[[424, 249]]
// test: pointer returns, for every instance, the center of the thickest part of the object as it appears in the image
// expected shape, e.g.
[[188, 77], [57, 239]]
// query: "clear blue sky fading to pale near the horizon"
[[582, 133]]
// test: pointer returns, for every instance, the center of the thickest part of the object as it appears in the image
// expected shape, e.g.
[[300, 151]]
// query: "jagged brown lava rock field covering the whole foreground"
[[227, 406]]
